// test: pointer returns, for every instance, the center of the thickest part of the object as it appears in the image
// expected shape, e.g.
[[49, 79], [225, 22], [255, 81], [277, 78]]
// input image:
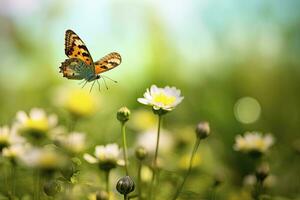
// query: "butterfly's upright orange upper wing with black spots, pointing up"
[[75, 48]]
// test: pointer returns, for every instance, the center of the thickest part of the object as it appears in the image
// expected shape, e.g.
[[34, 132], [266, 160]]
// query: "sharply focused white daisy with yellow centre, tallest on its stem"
[[162, 98]]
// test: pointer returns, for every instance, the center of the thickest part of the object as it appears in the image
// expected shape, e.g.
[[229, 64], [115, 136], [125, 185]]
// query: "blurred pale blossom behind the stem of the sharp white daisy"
[[148, 138]]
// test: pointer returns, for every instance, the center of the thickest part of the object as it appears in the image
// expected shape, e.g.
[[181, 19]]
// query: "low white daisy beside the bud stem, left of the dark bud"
[[107, 157]]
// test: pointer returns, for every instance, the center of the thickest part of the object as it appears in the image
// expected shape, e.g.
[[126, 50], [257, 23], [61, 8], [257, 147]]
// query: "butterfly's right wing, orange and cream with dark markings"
[[108, 62]]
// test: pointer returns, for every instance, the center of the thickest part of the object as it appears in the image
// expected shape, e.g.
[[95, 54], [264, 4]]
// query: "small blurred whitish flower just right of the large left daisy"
[[73, 142]]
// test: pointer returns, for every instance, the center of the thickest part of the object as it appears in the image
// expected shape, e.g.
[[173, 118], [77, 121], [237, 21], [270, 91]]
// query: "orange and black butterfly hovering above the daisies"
[[80, 65]]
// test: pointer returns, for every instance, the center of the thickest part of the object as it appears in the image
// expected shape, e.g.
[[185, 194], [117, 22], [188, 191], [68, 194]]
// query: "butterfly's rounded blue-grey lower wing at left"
[[74, 68]]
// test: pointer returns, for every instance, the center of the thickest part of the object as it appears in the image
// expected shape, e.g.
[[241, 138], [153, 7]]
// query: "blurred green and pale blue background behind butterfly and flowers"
[[236, 63]]
